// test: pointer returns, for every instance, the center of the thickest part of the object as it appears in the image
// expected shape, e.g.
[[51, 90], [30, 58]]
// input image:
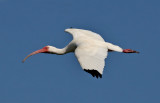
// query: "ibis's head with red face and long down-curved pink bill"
[[45, 49]]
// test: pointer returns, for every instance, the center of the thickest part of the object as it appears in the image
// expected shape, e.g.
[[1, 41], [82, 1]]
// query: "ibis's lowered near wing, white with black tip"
[[92, 58]]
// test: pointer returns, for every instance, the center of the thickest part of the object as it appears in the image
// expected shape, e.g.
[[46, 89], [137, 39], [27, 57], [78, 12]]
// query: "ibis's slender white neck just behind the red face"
[[57, 51]]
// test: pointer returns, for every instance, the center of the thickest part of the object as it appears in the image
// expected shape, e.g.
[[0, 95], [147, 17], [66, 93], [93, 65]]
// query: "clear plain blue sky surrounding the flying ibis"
[[28, 25]]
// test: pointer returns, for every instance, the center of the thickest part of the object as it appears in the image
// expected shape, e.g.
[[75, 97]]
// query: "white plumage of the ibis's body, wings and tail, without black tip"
[[91, 49]]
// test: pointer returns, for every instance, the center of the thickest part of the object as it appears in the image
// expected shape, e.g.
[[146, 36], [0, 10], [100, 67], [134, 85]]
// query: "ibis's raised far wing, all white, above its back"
[[78, 33]]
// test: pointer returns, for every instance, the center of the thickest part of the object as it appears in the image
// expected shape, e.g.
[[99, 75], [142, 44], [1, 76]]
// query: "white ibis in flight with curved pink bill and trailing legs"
[[90, 50]]
